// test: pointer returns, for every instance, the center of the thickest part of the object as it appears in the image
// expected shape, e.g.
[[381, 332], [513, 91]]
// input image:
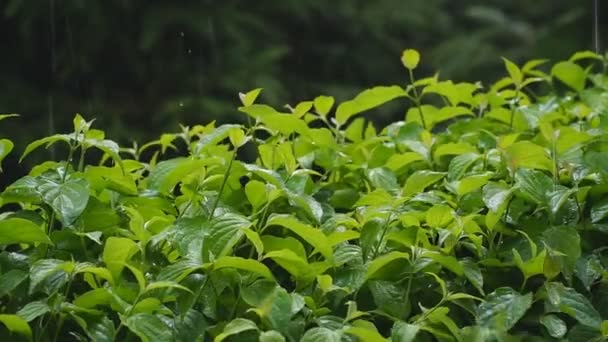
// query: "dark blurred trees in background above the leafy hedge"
[[142, 66]]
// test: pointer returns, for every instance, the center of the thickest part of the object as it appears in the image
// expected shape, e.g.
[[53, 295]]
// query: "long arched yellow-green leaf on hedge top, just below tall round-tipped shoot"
[[368, 99]]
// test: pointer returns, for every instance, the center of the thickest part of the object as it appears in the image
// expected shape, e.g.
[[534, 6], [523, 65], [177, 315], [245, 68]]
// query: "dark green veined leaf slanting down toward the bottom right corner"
[[567, 300]]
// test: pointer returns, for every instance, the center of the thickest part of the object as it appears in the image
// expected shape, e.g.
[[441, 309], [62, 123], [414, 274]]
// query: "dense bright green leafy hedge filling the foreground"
[[482, 216]]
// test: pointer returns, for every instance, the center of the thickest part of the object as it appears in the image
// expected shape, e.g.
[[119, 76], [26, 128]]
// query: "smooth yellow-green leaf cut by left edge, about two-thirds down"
[[18, 230]]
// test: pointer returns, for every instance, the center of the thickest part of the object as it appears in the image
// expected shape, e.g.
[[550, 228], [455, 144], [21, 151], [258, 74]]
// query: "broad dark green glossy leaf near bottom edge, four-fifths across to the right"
[[503, 308]]
